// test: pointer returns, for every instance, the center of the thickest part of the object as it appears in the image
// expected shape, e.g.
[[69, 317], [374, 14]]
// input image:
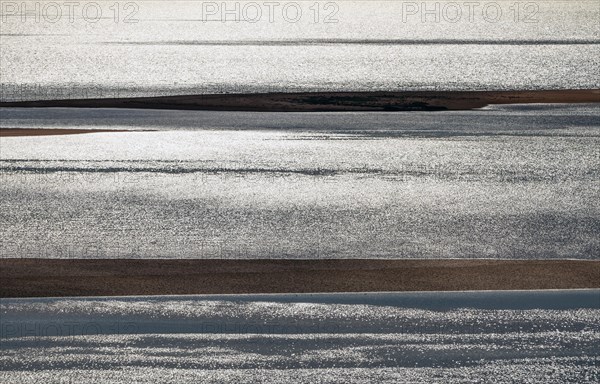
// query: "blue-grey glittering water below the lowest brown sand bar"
[[499, 337]]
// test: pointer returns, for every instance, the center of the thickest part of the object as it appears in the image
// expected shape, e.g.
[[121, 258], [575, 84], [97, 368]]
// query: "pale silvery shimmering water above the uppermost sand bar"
[[166, 47]]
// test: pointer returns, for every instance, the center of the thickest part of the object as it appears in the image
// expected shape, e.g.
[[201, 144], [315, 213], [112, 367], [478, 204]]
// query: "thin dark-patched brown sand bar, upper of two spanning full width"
[[331, 101]]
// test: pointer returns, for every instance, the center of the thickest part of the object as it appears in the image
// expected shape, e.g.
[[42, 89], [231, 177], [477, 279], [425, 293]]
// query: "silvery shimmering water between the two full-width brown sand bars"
[[510, 182]]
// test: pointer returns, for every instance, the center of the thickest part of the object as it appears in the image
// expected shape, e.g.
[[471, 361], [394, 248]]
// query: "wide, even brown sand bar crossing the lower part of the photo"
[[106, 277]]
